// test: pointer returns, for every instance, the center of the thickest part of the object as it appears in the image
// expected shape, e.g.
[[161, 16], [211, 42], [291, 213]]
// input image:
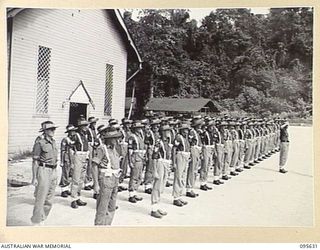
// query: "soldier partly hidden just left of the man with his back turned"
[[92, 136]]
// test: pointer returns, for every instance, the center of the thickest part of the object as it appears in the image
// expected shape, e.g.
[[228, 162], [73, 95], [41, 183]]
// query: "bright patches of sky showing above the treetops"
[[199, 13]]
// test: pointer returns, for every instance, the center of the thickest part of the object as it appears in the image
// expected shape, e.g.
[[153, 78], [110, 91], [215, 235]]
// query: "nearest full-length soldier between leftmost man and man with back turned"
[[81, 159]]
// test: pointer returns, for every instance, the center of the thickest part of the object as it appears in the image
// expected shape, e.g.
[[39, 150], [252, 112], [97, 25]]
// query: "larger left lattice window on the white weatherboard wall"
[[43, 75]]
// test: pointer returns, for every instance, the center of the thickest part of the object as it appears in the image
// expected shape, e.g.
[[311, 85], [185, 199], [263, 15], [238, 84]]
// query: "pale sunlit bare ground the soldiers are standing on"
[[260, 196]]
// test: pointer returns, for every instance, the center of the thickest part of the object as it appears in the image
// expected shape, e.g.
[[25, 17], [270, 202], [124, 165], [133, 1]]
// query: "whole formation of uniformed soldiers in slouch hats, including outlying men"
[[147, 151]]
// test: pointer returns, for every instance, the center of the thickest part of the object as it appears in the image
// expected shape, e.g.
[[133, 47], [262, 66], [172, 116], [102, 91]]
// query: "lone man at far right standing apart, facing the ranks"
[[284, 146]]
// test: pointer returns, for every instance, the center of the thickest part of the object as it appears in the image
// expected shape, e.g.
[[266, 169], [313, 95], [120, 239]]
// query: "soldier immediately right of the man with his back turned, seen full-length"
[[137, 155]]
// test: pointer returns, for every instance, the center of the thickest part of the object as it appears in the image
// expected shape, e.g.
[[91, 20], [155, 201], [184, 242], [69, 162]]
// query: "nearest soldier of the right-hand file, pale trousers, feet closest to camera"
[[161, 165]]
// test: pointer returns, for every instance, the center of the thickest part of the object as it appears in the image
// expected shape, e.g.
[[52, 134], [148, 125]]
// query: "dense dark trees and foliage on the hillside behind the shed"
[[249, 63]]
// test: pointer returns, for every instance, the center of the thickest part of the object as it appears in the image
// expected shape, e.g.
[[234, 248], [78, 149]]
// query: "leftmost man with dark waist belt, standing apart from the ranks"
[[44, 173]]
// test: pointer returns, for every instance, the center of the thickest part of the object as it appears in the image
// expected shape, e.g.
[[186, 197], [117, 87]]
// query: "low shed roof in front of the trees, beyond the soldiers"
[[181, 104]]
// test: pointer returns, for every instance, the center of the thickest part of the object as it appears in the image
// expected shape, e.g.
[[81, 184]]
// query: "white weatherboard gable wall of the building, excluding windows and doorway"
[[82, 42]]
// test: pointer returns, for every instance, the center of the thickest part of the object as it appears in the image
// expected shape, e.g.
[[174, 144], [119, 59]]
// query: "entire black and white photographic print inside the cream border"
[[160, 117]]
